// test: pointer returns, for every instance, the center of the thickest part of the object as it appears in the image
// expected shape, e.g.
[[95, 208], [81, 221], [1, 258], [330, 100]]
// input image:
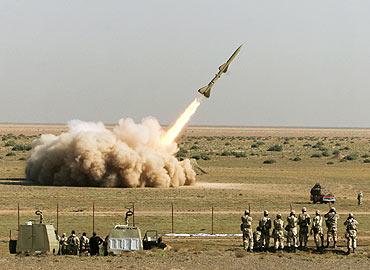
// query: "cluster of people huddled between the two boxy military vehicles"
[[74, 245]]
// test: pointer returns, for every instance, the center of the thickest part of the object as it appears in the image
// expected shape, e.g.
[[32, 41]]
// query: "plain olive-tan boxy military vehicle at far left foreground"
[[36, 238]]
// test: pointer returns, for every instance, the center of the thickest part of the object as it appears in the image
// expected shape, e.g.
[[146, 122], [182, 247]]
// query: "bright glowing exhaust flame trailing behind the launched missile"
[[180, 123]]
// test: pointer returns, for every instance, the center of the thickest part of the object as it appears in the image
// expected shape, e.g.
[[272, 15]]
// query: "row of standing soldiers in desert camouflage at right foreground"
[[296, 230]]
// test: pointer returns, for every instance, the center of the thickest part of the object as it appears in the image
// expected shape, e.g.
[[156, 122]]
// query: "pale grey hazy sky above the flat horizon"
[[304, 63]]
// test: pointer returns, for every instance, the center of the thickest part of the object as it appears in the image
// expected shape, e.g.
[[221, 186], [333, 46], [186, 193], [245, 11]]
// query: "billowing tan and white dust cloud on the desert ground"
[[131, 155]]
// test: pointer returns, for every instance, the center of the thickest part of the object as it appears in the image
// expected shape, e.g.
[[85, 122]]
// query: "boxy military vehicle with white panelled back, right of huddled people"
[[124, 238]]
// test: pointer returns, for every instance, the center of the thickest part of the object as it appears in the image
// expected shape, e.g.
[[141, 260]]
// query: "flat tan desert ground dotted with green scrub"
[[268, 168]]
